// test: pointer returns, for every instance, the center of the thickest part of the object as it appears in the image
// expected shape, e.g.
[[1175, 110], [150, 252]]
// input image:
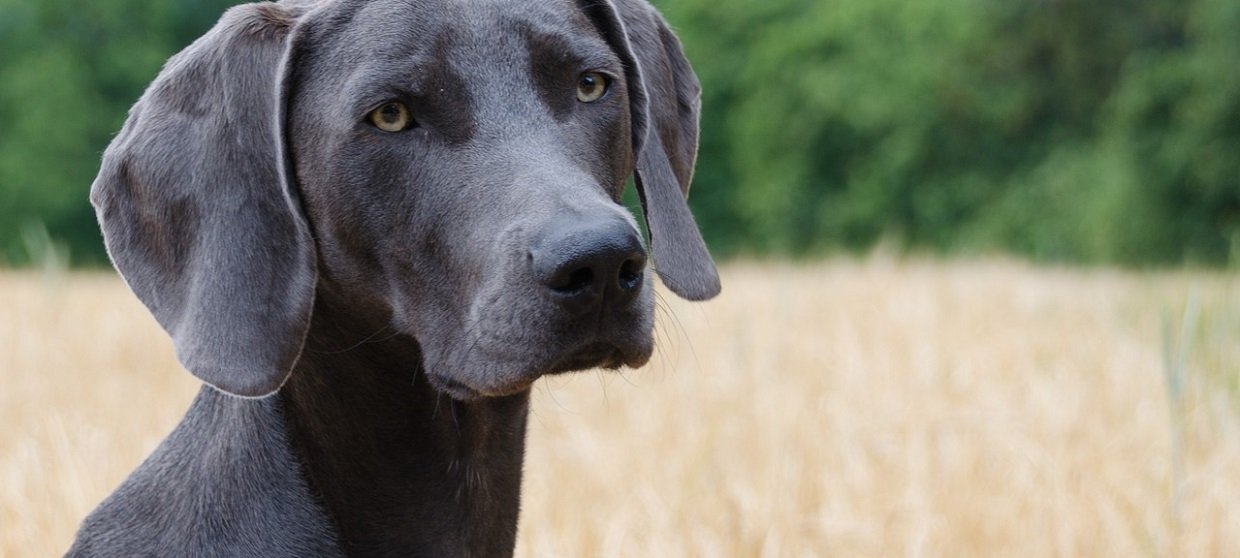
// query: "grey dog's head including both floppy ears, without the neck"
[[451, 169]]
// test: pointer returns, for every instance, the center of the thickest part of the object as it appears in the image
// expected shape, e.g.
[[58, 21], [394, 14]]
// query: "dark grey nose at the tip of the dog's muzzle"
[[588, 263]]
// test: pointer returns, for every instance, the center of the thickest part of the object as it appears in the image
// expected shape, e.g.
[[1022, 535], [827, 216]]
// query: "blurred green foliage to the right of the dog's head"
[[1083, 131]]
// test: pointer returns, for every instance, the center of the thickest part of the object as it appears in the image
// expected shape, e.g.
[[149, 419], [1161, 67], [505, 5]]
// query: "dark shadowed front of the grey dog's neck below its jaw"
[[402, 469]]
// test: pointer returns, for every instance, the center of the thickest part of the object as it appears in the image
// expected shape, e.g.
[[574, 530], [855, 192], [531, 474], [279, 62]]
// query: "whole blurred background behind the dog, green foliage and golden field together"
[[981, 270]]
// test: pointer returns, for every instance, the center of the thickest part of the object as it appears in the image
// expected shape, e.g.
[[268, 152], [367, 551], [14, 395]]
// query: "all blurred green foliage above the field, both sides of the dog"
[[1079, 131]]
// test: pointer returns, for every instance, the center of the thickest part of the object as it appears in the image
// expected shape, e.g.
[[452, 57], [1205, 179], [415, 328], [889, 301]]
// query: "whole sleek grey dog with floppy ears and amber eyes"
[[369, 228]]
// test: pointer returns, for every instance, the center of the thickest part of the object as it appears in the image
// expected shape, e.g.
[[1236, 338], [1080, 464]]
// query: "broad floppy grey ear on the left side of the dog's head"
[[199, 214]]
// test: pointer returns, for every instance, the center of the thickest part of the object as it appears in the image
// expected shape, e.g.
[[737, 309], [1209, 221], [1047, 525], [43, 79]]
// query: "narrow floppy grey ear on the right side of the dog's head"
[[665, 100]]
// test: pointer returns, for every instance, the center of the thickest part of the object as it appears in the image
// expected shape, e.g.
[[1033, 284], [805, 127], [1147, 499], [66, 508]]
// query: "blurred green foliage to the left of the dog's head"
[[69, 74]]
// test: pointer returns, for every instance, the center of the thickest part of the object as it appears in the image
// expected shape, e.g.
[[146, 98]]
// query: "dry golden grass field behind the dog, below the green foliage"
[[875, 409]]
